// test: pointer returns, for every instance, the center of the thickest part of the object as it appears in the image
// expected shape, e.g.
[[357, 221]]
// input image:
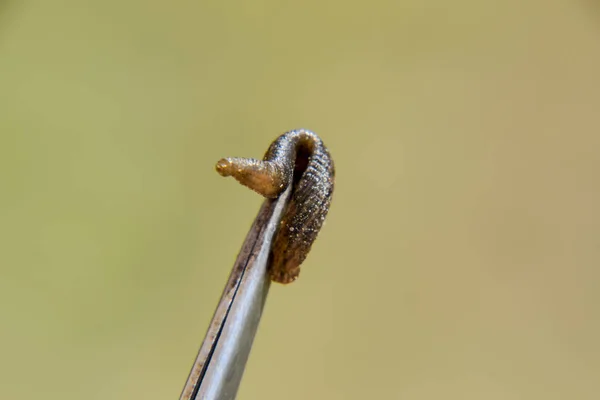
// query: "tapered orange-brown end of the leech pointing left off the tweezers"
[[264, 177]]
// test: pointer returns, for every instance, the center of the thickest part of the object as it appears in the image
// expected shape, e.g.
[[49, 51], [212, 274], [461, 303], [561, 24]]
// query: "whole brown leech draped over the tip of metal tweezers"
[[296, 158]]
